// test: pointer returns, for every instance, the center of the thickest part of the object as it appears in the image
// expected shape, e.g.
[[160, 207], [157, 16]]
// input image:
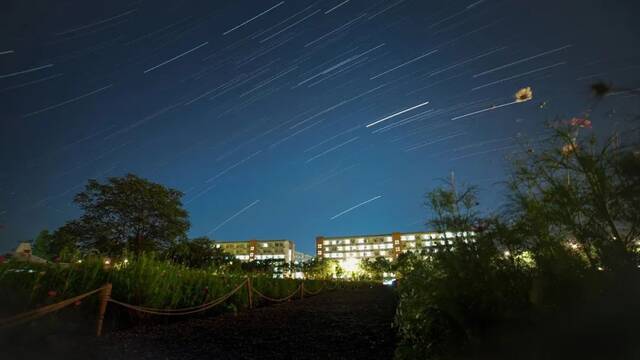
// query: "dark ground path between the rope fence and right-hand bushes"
[[345, 324]]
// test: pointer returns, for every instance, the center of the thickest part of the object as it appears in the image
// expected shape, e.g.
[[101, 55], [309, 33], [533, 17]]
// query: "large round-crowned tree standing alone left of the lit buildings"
[[129, 213]]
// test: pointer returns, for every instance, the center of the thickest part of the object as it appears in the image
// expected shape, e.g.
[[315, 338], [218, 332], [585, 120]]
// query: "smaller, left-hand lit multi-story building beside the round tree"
[[251, 250]]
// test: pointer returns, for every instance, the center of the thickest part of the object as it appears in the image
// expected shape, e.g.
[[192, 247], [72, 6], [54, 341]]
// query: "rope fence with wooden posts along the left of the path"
[[105, 298]]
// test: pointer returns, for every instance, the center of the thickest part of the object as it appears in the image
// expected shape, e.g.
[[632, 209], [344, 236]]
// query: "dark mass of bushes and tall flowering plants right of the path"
[[553, 266]]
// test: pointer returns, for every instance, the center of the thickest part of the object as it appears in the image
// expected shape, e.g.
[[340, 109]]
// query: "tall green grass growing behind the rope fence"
[[145, 281]]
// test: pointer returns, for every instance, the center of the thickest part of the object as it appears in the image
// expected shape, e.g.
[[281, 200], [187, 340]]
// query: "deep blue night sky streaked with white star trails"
[[259, 110]]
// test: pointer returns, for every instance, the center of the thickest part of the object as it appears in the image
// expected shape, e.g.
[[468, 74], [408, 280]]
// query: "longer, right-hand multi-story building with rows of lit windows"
[[388, 246]]
